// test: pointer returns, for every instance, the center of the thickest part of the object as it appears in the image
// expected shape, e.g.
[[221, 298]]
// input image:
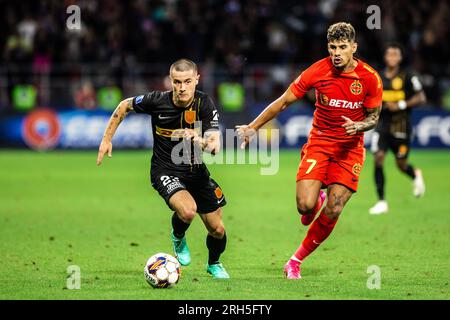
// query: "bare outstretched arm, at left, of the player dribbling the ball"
[[117, 117]]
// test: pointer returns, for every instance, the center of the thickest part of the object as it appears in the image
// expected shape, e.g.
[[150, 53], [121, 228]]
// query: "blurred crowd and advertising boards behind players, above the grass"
[[248, 53]]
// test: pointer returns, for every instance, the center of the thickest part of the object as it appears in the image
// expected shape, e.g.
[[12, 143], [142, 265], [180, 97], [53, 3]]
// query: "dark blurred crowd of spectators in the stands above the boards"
[[234, 35]]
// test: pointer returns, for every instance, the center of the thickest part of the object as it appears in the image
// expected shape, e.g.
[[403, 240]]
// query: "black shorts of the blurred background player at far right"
[[385, 140]]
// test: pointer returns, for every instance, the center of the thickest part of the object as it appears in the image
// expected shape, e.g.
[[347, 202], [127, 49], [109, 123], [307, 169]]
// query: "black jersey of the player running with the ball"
[[166, 118]]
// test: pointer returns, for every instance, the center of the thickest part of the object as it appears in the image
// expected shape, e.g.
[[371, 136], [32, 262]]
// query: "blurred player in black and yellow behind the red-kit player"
[[402, 91]]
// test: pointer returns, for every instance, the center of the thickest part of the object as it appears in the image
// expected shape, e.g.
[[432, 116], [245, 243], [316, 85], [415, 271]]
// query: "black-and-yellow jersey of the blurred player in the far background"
[[401, 87]]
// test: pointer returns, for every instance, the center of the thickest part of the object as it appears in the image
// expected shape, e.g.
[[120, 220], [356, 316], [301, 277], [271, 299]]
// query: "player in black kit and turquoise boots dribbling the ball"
[[177, 172]]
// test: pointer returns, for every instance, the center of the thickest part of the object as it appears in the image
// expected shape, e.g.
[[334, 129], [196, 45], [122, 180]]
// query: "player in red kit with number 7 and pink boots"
[[348, 102]]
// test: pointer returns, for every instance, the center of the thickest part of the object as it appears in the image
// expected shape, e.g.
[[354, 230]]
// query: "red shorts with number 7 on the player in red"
[[332, 162]]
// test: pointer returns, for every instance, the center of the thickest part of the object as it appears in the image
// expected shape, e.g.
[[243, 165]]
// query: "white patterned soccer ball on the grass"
[[162, 271]]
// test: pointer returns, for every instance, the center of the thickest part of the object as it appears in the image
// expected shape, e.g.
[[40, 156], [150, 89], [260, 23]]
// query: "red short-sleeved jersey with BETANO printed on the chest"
[[339, 94]]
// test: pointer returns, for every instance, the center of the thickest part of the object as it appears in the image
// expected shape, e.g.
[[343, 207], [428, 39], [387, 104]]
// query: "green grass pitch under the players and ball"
[[59, 209]]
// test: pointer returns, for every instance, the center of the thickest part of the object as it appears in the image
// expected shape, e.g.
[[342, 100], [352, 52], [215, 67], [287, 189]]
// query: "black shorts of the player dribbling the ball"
[[206, 192]]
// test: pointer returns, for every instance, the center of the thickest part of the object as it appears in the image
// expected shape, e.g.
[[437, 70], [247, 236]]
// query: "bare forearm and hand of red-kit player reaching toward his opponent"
[[246, 132]]
